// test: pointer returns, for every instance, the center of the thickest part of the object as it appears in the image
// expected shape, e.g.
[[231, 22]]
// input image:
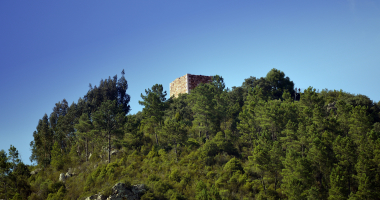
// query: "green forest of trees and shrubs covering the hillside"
[[264, 139]]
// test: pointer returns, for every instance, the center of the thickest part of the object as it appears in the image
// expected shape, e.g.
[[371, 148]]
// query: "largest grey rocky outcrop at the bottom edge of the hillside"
[[120, 191]]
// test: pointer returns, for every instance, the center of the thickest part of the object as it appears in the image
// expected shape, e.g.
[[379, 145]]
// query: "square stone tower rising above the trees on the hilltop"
[[186, 83]]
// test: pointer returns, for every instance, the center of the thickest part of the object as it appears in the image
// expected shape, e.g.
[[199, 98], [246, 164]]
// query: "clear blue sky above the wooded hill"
[[51, 50]]
